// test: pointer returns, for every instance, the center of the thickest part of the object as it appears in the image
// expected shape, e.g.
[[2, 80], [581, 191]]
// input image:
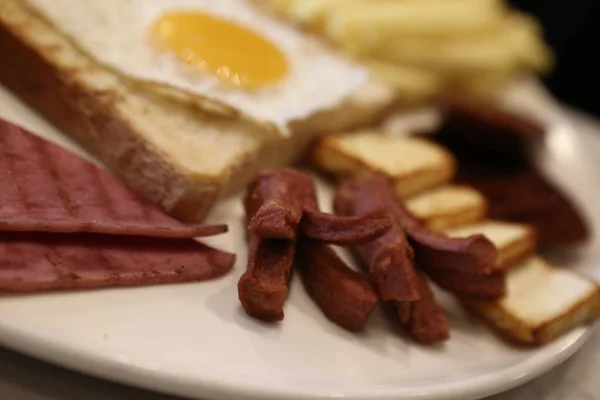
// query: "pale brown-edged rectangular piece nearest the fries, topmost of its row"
[[414, 165]]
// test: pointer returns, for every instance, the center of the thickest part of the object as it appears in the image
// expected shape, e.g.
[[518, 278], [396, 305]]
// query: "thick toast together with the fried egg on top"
[[112, 79]]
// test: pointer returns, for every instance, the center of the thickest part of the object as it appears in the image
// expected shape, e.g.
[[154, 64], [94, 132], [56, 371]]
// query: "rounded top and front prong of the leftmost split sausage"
[[274, 204]]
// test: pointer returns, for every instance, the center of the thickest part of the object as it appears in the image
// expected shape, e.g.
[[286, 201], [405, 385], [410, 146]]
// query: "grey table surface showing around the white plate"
[[23, 378]]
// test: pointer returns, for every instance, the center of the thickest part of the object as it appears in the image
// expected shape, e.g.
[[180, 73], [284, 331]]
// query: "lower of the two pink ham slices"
[[47, 261]]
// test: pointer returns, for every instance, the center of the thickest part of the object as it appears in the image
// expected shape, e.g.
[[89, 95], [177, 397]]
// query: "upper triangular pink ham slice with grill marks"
[[46, 188]]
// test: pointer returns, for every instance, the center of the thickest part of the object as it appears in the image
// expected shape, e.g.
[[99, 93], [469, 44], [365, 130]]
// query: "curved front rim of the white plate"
[[216, 388]]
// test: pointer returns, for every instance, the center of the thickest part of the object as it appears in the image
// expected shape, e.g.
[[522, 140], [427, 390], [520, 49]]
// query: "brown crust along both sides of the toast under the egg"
[[90, 115]]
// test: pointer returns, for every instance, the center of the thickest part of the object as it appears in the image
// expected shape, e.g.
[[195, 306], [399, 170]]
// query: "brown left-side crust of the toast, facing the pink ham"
[[88, 115]]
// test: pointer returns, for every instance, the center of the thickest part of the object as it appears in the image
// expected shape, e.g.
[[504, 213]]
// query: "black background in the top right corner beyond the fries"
[[572, 30]]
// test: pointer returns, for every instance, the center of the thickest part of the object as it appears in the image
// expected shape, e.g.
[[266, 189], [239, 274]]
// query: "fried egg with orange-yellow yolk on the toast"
[[223, 50]]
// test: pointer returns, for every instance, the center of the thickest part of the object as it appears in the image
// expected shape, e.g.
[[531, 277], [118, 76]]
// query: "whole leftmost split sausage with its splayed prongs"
[[276, 203]]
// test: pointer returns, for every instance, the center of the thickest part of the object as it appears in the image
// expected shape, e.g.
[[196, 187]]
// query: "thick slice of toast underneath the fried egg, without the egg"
[[180, 157]]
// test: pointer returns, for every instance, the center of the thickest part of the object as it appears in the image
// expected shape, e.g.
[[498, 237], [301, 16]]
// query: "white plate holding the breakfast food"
[[194, 340]]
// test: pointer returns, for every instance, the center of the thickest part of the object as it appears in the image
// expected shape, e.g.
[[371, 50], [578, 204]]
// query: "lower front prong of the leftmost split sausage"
[[263, 288]]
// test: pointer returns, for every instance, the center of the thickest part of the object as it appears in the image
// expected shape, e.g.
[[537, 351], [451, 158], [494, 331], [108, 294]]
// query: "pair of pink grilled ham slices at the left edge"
[[67, 224]]
